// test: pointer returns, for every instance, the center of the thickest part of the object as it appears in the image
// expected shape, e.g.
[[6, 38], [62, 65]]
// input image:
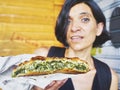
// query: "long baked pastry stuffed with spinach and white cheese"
[[40, 65]]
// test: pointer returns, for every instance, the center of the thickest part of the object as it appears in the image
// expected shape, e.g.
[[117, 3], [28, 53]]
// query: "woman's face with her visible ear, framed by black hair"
[[82, 27]]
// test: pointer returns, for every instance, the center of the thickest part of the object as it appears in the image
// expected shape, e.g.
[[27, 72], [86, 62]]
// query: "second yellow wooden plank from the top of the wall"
[[22, 11]]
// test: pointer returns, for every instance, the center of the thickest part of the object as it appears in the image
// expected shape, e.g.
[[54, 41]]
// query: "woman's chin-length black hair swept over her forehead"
[[62, 21]]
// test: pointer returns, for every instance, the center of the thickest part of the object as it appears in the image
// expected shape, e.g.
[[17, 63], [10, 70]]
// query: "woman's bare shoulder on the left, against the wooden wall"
[[42, 51]]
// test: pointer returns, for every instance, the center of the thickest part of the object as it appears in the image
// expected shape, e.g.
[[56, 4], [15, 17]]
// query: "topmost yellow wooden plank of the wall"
[[48, 4]]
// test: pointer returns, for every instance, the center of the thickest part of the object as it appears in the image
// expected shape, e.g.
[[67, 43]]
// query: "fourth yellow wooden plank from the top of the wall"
[[11, 27]]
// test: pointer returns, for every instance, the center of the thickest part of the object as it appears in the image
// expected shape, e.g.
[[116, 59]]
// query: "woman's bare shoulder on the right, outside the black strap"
[[114, 83]]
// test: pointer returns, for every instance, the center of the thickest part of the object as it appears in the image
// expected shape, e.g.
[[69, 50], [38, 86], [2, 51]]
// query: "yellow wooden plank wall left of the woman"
[[26, 25]]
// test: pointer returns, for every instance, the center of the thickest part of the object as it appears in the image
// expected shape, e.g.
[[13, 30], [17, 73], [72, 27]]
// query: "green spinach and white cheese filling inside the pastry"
[[51, 66]]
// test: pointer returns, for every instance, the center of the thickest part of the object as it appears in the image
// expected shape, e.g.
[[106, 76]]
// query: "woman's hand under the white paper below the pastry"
[[55, 85]]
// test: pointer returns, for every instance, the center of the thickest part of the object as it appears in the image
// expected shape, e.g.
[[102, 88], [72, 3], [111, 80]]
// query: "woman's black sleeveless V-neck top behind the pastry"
[[102, 79]]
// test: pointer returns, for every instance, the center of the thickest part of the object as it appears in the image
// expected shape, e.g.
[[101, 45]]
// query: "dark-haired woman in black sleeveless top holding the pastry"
[[80, 27]]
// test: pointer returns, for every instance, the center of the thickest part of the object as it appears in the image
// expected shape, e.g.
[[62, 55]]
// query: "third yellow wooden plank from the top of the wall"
[[27, 19]]
